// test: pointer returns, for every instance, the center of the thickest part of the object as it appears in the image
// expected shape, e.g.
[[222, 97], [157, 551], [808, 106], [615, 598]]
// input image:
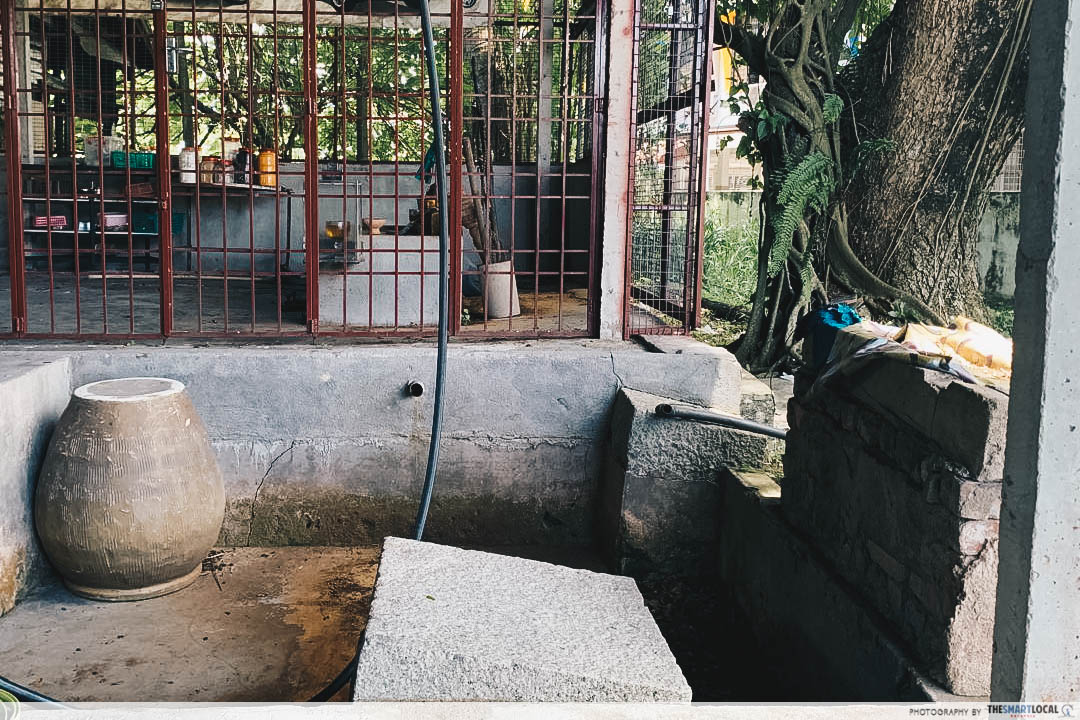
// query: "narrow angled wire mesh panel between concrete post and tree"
[[671, 78]]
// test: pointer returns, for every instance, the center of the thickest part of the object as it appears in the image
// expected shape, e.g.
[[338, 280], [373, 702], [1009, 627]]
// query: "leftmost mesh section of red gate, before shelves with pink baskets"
[[88, 218]]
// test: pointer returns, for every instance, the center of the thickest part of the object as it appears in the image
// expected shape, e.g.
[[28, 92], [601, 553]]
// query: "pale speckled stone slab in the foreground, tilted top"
[[450, 624]]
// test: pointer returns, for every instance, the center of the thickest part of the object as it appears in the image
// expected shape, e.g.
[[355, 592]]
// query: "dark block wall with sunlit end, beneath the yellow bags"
[[895, 476]]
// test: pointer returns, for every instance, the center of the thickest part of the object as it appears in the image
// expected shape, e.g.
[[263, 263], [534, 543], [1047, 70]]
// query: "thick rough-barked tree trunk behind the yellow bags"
[[944, 80]]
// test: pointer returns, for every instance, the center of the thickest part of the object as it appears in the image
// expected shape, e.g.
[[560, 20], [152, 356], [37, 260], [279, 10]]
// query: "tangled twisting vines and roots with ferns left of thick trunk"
[[800, 132]]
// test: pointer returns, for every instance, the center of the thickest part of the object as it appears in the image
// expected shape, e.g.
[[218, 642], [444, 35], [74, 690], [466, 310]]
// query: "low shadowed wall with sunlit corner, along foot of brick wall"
[[809, 631]]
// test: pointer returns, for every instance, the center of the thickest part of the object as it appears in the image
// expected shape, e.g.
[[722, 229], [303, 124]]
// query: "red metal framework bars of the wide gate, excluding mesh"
[[161, 16]]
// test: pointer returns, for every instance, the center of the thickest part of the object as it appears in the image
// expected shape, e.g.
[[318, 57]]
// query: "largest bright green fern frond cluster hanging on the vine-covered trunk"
[[807, 186]]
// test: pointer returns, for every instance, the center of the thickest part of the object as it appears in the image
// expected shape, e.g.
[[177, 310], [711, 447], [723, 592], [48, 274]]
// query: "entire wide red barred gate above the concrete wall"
[[223, 169]]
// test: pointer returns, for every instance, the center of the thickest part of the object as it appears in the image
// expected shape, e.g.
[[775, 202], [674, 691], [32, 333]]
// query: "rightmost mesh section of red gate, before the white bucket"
[[531, 167]]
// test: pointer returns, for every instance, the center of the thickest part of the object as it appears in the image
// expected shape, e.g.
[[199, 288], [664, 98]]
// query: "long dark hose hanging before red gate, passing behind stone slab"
[[444, 270]]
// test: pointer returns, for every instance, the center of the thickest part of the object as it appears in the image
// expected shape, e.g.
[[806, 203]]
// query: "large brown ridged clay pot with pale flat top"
[[130, 497]]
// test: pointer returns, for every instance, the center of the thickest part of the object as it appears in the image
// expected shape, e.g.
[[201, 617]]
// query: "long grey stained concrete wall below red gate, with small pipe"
[[320, 445]]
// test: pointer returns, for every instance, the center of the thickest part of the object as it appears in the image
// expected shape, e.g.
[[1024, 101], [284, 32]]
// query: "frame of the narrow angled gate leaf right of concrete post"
[[685, 309]]
